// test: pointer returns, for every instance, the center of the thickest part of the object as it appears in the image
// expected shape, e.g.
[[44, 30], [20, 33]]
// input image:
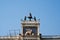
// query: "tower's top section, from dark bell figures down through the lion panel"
[[30, 26]]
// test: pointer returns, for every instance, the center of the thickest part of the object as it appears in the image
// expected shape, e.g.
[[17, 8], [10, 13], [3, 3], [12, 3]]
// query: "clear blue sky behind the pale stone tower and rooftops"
[[12, 11]]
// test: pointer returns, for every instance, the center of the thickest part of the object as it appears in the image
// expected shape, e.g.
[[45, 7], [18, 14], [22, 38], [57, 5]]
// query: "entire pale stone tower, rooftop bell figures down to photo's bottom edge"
[[30, 28]]
